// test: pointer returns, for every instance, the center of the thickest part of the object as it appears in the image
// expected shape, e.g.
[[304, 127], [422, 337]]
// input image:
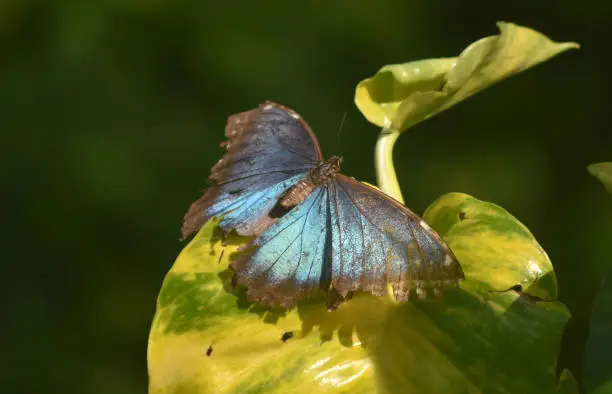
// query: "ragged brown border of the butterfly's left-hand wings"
[[237, 125]]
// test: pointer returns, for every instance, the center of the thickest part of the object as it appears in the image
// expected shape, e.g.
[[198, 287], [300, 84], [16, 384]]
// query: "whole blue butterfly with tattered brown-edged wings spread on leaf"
[[314, 227]]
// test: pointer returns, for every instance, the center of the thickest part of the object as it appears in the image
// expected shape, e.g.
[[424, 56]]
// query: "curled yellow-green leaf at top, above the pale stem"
[[401, 95]]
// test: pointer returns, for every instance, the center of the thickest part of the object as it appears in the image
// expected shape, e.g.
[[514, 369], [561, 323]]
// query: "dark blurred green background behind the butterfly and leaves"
[[112, 112]]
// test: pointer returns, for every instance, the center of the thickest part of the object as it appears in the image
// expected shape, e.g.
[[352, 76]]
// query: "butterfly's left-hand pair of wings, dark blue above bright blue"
[[269, 149]]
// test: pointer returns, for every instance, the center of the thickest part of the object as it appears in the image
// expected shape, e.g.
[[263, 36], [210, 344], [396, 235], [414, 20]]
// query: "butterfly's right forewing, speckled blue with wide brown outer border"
[[377, 241]]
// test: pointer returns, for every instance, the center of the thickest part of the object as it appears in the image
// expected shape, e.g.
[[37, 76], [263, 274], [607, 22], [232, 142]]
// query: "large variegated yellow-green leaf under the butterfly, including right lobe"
[[473, 341]]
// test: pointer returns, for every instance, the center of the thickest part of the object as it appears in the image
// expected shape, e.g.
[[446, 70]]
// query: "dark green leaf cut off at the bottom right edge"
[[598, 362]]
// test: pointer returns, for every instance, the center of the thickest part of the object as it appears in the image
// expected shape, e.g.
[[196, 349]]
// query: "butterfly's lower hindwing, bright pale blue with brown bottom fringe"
[[292, 257]]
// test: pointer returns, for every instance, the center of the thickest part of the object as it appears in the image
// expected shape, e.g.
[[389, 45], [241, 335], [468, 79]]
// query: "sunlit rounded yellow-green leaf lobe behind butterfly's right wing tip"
[[485, 237]]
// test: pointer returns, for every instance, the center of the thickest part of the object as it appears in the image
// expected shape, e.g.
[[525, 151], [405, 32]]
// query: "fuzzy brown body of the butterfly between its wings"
[[316, 177]]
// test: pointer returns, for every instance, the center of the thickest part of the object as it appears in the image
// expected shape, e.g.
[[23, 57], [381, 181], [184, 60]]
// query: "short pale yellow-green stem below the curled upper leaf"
[[383, 159]]
